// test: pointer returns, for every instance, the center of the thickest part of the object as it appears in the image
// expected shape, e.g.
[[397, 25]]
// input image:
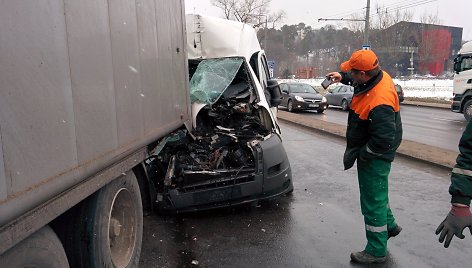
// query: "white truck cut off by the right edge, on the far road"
[[462, 87]]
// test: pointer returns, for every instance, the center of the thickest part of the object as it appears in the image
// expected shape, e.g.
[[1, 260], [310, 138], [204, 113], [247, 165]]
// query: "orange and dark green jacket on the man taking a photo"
[[374, 127]]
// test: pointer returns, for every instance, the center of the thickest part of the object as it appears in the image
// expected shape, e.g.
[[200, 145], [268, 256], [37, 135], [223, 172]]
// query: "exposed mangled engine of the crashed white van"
[[220, 148]]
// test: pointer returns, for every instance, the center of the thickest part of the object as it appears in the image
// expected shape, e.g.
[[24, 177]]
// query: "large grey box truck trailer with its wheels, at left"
[[85, 88]]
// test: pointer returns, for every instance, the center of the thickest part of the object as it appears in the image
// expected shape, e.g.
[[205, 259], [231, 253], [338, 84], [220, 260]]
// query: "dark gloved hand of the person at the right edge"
[[456, 221]]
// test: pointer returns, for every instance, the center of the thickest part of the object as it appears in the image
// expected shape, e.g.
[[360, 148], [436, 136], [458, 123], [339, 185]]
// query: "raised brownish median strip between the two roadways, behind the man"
[[419, 151]]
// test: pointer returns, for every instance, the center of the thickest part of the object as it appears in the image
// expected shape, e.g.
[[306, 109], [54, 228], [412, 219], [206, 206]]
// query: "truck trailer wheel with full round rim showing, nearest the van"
[[107, 230]]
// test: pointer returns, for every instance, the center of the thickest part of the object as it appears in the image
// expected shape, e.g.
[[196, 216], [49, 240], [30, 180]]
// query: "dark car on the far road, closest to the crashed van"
[[301, 96]]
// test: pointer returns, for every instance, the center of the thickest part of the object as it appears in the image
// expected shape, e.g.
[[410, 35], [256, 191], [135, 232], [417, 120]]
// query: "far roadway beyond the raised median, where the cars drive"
[[437, 127]]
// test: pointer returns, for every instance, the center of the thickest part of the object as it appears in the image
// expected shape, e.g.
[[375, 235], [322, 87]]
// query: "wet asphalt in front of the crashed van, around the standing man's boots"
[[318, 226]]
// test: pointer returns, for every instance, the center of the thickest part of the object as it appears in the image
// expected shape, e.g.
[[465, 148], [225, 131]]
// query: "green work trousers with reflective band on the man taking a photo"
[[378, 218]]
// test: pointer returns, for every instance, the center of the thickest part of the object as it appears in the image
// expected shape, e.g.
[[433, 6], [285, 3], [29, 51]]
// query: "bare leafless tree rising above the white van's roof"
[[254, 12]]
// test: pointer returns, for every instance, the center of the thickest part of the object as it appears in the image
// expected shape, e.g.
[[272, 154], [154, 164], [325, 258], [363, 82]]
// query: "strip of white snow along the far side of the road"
[[419, 88]]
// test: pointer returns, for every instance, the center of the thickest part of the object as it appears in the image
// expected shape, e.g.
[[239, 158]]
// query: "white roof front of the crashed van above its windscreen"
[[210, 37]]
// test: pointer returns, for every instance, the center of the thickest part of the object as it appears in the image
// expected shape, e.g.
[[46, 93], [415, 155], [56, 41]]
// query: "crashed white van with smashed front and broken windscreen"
[[233, 152]]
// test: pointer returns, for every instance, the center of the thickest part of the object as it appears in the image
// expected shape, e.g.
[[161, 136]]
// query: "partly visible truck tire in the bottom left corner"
[[42, 249]]
